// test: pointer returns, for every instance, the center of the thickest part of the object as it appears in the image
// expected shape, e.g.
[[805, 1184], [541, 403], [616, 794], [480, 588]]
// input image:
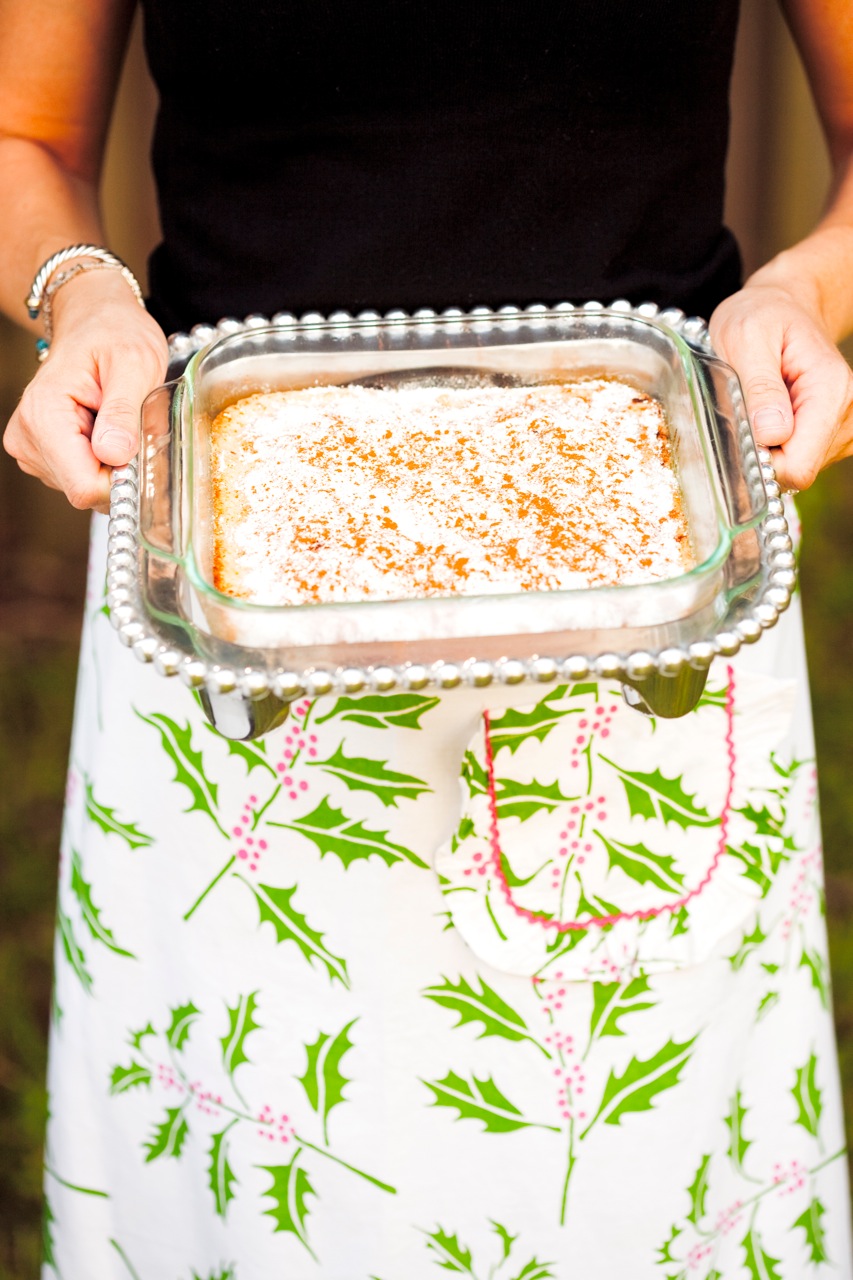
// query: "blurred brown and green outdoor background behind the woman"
[[777, 184]]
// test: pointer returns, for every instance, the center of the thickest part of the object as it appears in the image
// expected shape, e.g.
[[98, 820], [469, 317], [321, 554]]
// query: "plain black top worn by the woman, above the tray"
[[352, 154]]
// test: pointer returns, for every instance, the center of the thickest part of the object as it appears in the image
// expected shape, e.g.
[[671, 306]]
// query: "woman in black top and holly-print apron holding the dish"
[[273, 1053]]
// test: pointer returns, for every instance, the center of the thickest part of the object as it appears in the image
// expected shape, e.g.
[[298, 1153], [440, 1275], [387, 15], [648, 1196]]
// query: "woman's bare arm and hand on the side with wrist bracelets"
[[60, 66]]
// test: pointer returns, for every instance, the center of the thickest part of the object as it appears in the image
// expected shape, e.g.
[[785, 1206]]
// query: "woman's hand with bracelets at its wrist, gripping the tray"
[[80, 417]]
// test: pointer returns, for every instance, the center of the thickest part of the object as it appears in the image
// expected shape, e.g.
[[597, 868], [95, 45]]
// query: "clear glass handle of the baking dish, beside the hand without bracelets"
[[738, 463]]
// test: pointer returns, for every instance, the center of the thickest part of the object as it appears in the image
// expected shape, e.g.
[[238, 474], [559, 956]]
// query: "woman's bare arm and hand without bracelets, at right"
[[781, 331]]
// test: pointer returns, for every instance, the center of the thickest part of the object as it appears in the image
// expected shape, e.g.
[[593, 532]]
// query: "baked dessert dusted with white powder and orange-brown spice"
[[363, 493]]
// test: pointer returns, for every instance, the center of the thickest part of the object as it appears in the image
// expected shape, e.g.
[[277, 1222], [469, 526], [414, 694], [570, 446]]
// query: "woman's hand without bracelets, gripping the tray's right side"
[[799, 386]]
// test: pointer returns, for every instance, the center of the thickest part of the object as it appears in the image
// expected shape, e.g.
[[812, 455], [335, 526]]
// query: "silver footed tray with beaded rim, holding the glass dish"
[[249, 664]]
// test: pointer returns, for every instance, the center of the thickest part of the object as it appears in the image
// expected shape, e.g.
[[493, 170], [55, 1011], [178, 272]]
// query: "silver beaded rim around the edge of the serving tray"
[[142, 633]]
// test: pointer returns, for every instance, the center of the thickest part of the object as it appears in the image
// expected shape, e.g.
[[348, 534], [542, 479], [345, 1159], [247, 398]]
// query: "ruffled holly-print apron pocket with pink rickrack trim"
[[608, 844]]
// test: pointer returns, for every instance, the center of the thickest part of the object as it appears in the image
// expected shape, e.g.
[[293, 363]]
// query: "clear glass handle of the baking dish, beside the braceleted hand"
[[159, 467]]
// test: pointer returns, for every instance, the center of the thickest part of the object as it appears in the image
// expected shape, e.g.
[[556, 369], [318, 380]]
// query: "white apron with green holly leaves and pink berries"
[[504, 985]]
